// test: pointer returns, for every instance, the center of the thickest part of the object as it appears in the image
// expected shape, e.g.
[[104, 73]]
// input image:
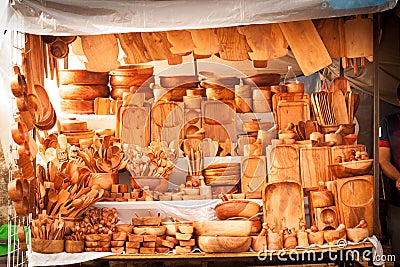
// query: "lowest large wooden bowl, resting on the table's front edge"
[[224, 244]]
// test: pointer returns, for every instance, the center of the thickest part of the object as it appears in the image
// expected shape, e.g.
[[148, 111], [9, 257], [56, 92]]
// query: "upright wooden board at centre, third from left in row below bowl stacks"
[[219, 120]]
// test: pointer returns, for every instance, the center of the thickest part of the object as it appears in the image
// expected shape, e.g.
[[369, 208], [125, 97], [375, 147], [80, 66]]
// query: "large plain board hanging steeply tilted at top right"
[[307, 46]]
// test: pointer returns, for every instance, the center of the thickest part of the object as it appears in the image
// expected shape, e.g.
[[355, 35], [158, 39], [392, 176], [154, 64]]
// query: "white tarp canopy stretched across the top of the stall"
[[77, 17]]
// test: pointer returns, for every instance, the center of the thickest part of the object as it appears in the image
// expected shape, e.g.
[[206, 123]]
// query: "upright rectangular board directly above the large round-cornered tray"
[[284, 164]]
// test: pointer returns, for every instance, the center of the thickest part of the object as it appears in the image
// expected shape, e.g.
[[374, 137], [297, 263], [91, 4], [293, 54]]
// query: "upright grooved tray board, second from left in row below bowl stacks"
[[167, 119]]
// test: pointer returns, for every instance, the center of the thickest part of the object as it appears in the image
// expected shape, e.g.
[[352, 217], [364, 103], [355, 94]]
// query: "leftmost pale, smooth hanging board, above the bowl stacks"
[[101, 52]]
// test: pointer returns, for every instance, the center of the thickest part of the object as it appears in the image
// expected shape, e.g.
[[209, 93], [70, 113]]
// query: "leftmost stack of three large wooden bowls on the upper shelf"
[[79, 89]]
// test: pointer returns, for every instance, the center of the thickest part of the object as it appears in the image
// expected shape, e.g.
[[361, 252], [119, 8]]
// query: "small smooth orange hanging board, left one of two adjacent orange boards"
[[181, 42]]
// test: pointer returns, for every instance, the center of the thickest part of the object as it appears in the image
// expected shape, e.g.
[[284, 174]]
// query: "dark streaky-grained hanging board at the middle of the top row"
[[233, 45]]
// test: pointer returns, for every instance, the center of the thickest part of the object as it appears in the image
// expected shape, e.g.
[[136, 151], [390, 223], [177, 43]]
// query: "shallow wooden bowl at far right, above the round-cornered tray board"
[[352, 168]]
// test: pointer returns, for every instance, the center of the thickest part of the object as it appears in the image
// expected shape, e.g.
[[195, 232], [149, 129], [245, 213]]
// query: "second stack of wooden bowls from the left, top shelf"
[[131, 78]]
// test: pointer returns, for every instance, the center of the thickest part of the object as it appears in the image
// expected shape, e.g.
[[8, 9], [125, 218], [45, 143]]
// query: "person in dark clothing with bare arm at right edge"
[[389, 161]]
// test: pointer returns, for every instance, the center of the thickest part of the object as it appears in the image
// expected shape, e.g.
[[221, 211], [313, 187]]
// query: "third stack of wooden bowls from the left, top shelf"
[[176, 86]]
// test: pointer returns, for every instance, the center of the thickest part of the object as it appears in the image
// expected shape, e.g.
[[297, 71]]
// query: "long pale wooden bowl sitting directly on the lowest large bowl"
[[222, 228]]
